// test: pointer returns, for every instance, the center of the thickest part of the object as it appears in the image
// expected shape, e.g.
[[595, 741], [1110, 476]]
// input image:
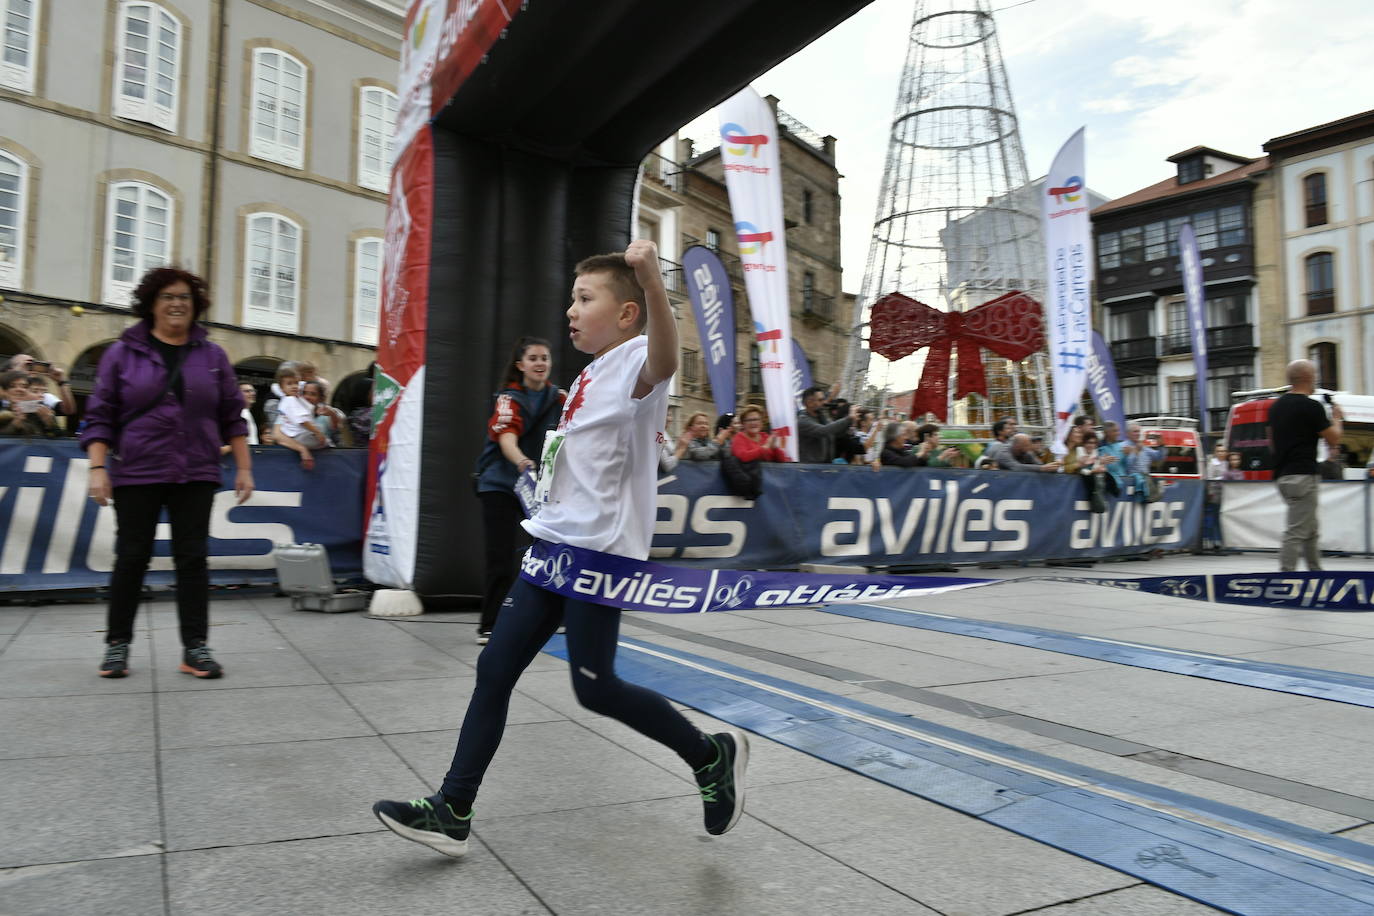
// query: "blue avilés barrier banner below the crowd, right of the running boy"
[[905, 517]]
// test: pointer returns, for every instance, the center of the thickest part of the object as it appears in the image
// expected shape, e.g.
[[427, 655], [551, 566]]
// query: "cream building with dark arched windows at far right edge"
[[1324, 181]]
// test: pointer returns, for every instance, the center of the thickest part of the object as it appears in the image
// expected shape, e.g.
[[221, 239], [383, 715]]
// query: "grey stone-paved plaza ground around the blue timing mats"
[[163, 794]]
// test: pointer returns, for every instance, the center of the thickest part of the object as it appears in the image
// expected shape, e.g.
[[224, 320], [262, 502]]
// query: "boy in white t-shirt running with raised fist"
[[597, 492]]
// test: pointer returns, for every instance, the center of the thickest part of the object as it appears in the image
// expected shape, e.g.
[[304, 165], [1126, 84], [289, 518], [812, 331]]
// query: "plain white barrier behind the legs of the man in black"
[[1254, 516]]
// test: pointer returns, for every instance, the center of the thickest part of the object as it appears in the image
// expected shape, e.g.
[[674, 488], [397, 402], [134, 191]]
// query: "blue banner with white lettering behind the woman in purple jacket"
[[57, 539]]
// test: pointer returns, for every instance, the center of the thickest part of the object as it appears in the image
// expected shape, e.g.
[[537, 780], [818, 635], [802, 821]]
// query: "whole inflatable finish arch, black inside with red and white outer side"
[[520, 135]]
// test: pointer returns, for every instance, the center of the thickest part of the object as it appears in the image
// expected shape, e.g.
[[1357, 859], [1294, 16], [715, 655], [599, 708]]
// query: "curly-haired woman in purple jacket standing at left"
[[166, 400]]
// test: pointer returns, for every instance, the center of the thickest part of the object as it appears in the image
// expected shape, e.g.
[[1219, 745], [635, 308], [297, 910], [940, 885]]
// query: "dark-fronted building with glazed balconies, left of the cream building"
[[1229, 201]]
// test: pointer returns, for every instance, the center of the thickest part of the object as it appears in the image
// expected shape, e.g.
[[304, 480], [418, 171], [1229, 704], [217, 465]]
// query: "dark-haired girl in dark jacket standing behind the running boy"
[[526, 410]]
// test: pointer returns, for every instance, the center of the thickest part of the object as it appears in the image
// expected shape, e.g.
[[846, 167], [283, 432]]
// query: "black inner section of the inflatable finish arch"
[[535, 165]]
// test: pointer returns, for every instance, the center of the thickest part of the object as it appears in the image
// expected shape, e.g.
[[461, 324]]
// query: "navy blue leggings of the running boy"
[[528, 619]]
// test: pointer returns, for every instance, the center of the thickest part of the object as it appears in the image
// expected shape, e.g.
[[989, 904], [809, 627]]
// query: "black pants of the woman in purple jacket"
[[137, 512]]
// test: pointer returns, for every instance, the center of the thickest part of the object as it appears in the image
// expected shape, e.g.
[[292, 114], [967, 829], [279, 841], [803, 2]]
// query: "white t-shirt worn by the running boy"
[[604, 494]]
